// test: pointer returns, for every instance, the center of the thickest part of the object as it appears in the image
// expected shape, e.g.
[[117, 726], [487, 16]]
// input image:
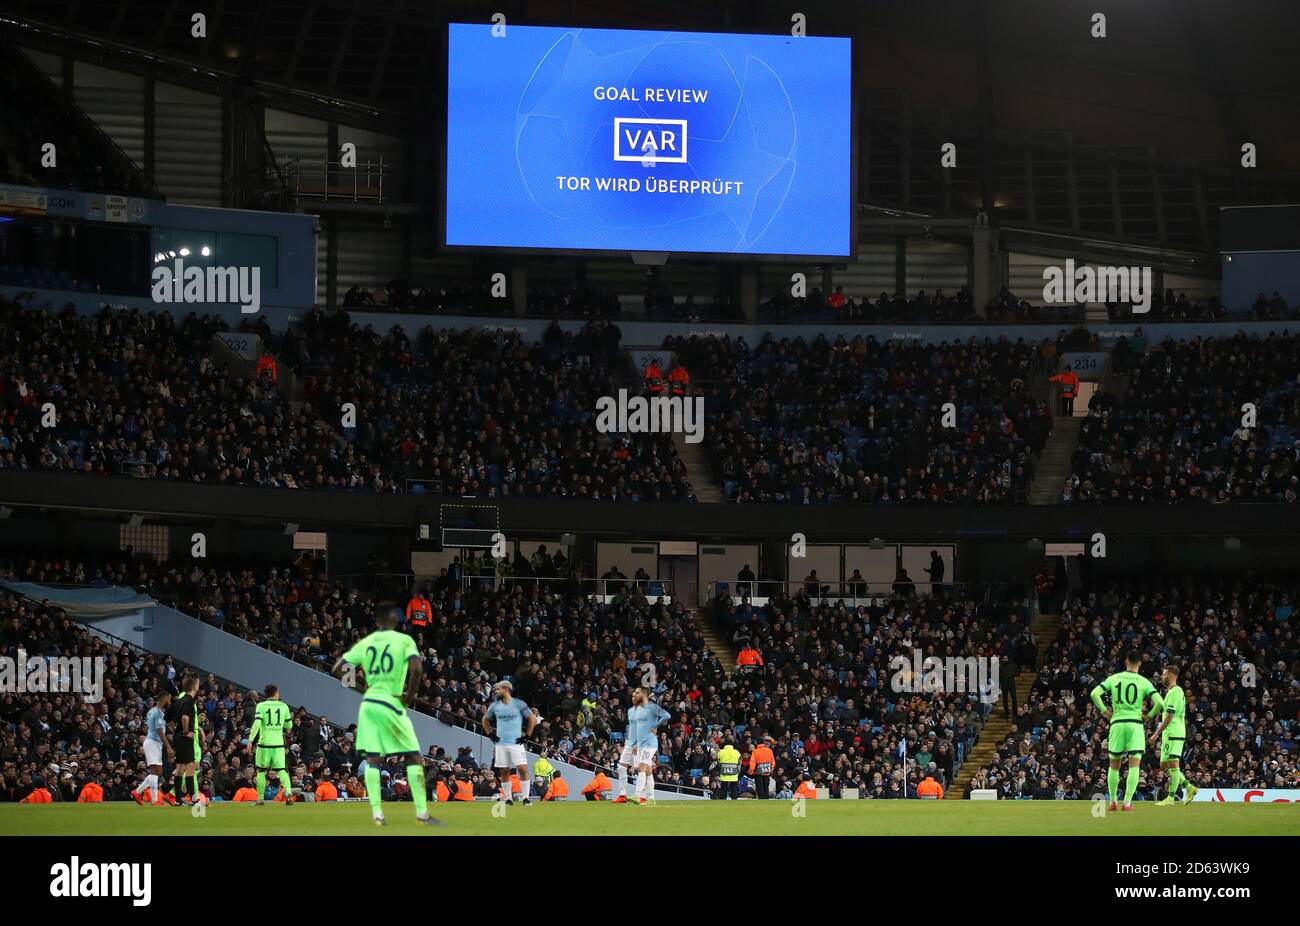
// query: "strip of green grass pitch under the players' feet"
[[668, 819]]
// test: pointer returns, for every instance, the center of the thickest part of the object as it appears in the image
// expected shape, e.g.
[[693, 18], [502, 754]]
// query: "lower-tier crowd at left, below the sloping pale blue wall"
[[62, 742]]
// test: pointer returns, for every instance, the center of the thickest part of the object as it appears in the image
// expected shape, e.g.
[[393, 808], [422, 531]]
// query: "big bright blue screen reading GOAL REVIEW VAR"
[[584, 140]]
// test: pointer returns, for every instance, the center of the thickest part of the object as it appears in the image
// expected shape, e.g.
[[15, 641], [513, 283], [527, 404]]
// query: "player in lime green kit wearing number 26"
[[389, 669]]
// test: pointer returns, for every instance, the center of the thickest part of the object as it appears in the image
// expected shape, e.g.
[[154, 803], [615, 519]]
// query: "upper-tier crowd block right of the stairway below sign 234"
[[1182, 431]]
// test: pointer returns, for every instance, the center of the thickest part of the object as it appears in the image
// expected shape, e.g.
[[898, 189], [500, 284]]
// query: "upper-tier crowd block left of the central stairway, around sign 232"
[[475, 413]]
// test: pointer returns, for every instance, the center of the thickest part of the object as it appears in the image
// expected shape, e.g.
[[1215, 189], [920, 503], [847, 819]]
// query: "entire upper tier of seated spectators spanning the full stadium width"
[[488, 414]]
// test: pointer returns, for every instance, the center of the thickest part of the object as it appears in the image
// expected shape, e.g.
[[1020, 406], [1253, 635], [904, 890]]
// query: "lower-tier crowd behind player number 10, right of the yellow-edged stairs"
[[1236, 643]]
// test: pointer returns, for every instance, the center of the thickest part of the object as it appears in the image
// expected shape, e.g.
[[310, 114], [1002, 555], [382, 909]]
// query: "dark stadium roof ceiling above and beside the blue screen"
[[1188, 79]]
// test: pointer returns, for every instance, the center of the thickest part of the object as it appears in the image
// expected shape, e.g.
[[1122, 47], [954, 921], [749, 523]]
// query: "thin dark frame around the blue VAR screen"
[[747, 257]]
